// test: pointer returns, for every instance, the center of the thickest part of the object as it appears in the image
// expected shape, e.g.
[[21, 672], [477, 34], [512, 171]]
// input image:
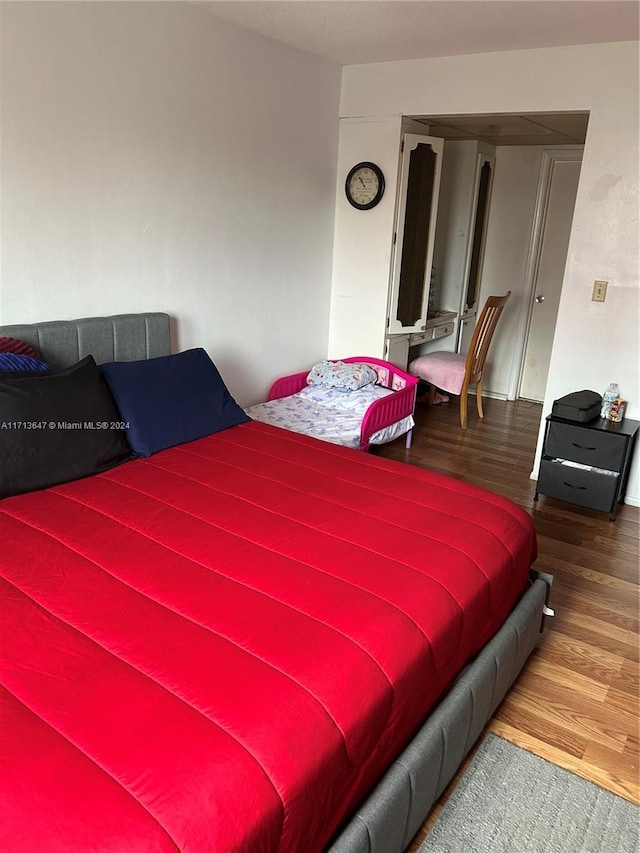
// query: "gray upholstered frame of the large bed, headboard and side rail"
[[389, 818]]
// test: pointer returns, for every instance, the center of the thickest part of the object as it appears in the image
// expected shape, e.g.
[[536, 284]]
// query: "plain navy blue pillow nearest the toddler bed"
[[171, 399]]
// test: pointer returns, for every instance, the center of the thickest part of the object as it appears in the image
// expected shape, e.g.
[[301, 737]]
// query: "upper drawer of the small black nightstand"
[[587, 446]]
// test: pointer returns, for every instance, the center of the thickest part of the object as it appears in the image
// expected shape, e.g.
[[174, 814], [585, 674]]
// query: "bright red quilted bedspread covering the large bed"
[[221, 647]]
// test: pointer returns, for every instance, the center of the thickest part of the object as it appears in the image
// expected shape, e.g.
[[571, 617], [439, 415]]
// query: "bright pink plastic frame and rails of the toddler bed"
[[384, 412]]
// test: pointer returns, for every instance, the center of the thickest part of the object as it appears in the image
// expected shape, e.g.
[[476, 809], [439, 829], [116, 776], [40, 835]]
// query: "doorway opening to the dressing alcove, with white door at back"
[[534, 180]]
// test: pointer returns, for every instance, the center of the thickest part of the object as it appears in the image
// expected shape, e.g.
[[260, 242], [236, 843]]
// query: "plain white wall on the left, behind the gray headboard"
[[156, 158]]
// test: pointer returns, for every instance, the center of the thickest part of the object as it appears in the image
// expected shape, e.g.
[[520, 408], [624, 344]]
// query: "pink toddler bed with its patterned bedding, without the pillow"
[[374, 414]]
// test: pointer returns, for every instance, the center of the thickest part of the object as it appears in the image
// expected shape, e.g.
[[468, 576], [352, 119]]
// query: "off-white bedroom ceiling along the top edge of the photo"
[[351, 32]]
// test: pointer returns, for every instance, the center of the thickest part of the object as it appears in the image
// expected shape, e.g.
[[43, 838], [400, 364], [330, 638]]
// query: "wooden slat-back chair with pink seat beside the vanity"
[[454, 373]]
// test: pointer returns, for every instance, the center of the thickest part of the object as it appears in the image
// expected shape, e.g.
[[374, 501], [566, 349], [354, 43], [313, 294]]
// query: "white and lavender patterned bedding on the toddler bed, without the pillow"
[[329, 414]]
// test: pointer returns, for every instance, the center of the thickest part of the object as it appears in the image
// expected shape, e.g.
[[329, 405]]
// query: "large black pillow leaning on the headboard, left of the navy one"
[[58, 427]]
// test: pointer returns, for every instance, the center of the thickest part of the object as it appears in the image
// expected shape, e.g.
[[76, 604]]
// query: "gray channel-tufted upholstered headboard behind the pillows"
[[122, 337]]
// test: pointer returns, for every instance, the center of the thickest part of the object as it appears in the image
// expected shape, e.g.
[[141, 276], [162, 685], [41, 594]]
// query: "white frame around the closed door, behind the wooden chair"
[[550, 156]]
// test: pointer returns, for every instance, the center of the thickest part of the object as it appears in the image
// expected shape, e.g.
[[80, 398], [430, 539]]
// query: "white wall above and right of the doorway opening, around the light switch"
[[594, 343]]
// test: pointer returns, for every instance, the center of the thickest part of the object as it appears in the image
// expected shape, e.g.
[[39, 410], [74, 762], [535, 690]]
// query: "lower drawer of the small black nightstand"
[[577, 486]]
